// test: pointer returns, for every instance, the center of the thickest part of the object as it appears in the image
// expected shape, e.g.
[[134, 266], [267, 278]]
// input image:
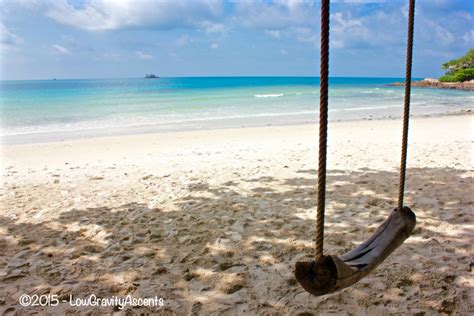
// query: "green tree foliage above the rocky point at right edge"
[[460, 69]]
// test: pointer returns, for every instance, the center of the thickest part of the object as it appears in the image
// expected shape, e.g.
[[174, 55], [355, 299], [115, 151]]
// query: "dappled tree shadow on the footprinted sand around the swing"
[[231, 249]]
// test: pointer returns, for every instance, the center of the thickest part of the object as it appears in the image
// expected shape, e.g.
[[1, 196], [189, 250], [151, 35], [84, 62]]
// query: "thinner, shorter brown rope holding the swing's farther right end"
[[406, 110]]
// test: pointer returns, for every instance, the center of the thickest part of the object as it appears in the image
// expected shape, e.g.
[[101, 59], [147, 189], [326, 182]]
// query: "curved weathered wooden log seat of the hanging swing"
[[333, 273]]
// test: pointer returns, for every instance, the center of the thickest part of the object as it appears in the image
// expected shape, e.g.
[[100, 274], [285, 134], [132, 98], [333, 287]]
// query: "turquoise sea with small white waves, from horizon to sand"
[[54, 110]]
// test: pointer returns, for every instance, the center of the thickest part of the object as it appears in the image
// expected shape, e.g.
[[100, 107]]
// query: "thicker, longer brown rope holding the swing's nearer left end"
[[323, 126]]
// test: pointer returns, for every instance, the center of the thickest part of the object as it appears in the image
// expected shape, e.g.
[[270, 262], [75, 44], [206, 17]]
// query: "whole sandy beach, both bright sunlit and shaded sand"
[[214, 221]]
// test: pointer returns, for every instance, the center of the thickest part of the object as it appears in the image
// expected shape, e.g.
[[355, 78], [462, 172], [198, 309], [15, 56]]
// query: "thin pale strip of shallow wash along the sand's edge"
[[222, 124]]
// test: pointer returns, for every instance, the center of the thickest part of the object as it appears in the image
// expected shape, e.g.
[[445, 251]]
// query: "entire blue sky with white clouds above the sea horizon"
[[44, 39]]
